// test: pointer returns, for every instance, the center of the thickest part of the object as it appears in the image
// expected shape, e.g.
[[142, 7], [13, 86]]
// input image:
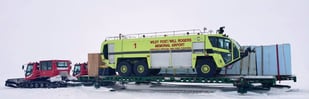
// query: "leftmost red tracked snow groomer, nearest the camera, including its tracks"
[[46, 73]]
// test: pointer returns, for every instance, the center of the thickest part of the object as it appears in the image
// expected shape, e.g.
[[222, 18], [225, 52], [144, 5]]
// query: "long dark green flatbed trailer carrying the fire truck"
[[242, 83]]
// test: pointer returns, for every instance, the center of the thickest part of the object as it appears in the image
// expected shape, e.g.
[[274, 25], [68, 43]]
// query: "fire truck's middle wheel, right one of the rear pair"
[[141, 68]]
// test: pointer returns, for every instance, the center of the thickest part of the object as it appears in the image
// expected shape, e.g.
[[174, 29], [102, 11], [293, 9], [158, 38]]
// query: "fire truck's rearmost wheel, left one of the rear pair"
[[124, 68]]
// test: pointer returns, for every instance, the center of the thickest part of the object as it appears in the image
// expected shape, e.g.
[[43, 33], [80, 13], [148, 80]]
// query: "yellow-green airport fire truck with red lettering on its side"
[[145, 54]]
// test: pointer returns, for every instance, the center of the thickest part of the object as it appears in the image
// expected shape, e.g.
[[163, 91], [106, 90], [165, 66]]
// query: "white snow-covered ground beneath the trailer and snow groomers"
[[212, 91]]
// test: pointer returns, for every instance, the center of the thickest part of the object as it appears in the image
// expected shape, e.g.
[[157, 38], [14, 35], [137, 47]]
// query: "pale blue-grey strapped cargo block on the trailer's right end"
[[263, 62]]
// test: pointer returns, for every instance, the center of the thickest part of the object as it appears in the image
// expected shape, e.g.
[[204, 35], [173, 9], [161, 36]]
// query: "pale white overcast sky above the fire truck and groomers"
[[32, 30]]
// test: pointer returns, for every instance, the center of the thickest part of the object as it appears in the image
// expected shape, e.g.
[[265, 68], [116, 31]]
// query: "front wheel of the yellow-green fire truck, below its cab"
[[206, 68]]
